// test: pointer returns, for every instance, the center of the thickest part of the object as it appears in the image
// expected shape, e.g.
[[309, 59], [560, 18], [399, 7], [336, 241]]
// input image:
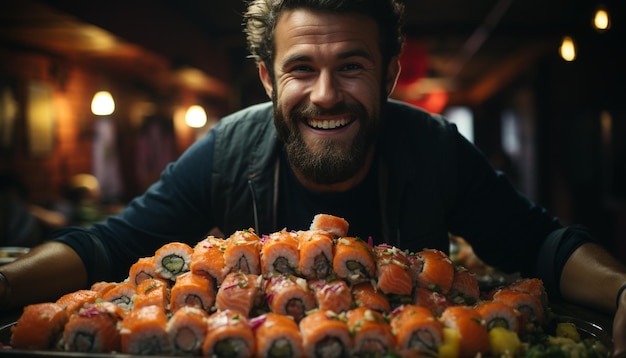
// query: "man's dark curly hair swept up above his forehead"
[[262, 15]]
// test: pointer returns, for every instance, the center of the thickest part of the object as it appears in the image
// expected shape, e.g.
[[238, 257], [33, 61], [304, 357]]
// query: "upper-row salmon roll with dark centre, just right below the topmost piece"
[[353, 260]]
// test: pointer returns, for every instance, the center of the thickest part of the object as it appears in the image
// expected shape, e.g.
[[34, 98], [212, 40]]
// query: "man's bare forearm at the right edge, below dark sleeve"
[[592, 277]]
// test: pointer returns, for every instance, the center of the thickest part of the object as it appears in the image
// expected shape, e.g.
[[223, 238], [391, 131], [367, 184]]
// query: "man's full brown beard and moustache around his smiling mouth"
[[330, 163]]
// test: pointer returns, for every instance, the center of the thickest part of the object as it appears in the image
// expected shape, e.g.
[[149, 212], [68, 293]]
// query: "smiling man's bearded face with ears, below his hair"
[[328, 91]]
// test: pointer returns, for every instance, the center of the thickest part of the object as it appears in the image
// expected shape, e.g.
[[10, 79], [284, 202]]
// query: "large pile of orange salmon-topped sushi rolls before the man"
[[310, 293]]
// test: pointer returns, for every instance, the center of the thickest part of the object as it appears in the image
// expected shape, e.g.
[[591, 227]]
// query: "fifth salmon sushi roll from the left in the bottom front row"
[[229, 334]]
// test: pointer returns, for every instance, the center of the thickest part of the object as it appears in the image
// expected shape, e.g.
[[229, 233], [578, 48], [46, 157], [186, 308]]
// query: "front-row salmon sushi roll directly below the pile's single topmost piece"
[[325, 334]]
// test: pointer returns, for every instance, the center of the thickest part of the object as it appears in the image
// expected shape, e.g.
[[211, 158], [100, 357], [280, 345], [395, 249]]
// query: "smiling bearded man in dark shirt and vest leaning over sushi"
[[332, 142]]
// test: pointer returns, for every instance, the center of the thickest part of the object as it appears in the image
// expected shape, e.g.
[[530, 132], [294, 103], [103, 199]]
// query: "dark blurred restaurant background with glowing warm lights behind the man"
[[538, 86]]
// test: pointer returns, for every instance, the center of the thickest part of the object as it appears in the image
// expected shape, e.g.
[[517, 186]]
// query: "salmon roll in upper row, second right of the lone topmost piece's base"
[[392, 270]]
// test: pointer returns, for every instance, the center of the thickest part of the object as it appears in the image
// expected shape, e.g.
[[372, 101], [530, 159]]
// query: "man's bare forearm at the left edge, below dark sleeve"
[[44, 274]]
